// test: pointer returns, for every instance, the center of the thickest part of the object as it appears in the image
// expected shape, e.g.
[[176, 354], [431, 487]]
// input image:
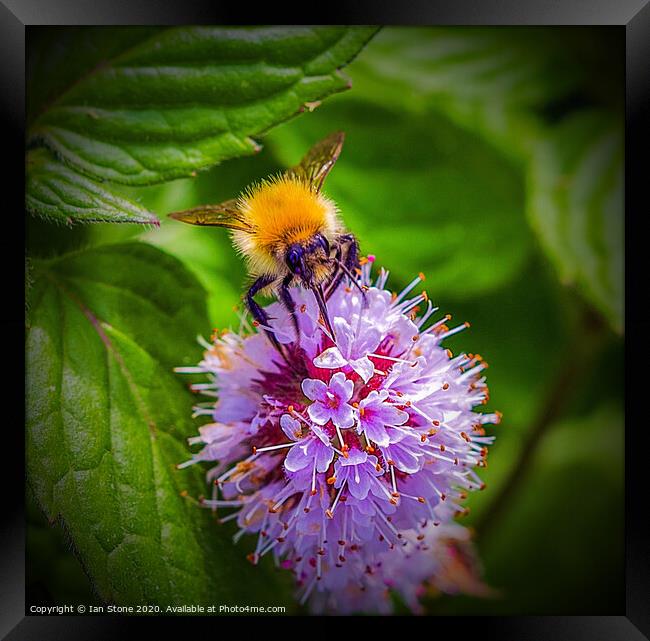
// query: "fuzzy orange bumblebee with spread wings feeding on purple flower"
[[289, 233]]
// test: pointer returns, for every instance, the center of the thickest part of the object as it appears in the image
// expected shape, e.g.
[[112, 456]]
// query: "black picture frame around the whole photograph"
[[631, 15]]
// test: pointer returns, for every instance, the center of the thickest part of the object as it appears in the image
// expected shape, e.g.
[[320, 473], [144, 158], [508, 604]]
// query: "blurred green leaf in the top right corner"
[[500, 83]]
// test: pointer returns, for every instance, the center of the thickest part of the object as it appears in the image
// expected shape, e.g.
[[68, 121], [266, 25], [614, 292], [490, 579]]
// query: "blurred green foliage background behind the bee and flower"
[[491, 160]]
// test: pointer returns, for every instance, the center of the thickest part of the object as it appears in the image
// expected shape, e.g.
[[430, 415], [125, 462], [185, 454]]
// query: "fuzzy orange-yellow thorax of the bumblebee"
[[279, 213]]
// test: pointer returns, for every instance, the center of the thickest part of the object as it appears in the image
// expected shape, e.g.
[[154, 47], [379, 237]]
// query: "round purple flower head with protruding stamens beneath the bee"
[[349, 458]]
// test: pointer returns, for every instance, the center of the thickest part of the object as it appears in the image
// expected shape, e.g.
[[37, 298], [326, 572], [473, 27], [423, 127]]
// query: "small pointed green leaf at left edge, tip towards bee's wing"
[[60, 194]]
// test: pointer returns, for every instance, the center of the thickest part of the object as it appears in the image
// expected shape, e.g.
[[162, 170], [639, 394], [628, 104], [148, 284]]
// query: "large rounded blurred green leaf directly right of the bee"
[[427, 196]]
